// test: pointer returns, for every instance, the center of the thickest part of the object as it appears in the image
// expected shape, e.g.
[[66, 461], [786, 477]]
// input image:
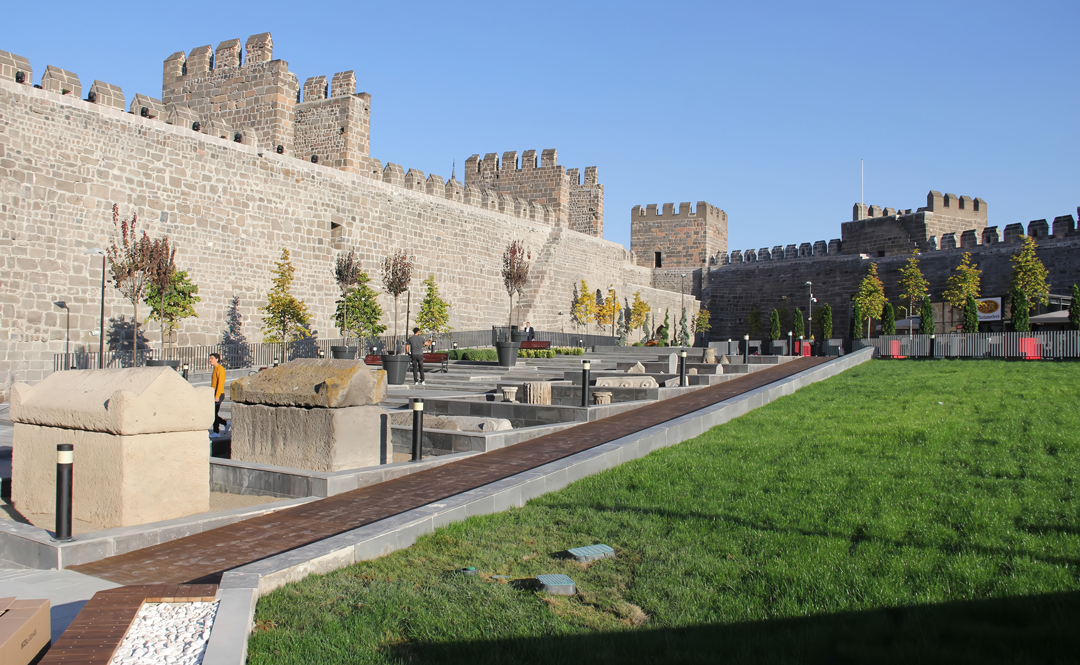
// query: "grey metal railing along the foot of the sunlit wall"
[[262, 355]]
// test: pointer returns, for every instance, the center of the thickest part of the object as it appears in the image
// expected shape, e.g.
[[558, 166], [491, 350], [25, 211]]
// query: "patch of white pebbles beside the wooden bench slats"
[[173, 633]]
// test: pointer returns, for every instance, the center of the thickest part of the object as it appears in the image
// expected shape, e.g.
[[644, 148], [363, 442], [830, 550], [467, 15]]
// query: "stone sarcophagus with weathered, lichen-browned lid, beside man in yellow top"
[[320, 415]]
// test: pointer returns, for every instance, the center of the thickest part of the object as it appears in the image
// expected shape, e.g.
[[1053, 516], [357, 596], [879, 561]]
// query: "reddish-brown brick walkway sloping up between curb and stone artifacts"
[[205, 558]]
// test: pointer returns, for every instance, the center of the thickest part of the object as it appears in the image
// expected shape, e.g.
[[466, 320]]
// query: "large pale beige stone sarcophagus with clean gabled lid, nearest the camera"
[[141, 447]]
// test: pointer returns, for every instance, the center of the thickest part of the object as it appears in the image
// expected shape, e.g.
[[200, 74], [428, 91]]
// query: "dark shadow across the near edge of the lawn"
[[1025, 630]]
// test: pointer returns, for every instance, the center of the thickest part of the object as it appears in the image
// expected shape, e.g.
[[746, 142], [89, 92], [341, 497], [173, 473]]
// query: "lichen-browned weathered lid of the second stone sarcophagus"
[[313, 383]]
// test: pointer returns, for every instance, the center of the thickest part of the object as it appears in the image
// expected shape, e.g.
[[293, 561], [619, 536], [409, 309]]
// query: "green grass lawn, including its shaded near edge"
[[902, 512]]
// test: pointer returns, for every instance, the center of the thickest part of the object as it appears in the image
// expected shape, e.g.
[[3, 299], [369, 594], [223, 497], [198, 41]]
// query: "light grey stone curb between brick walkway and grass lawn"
[[241, 588]]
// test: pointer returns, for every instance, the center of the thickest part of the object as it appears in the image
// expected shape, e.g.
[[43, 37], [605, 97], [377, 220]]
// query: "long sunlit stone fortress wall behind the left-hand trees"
[[231, 208]]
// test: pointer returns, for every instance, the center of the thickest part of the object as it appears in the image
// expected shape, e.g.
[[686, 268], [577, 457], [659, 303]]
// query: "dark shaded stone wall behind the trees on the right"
[[733, 291]]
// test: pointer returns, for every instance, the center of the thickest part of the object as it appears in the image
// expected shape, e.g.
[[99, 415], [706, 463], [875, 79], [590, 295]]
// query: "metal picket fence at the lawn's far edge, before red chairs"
[[1056, 345]]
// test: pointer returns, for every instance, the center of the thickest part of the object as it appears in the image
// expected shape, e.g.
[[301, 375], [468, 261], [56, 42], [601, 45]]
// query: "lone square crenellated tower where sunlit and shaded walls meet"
[[682, 239]]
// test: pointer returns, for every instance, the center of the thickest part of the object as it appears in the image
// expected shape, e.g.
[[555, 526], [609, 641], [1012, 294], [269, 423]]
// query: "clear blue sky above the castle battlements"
[[763, 110]]
